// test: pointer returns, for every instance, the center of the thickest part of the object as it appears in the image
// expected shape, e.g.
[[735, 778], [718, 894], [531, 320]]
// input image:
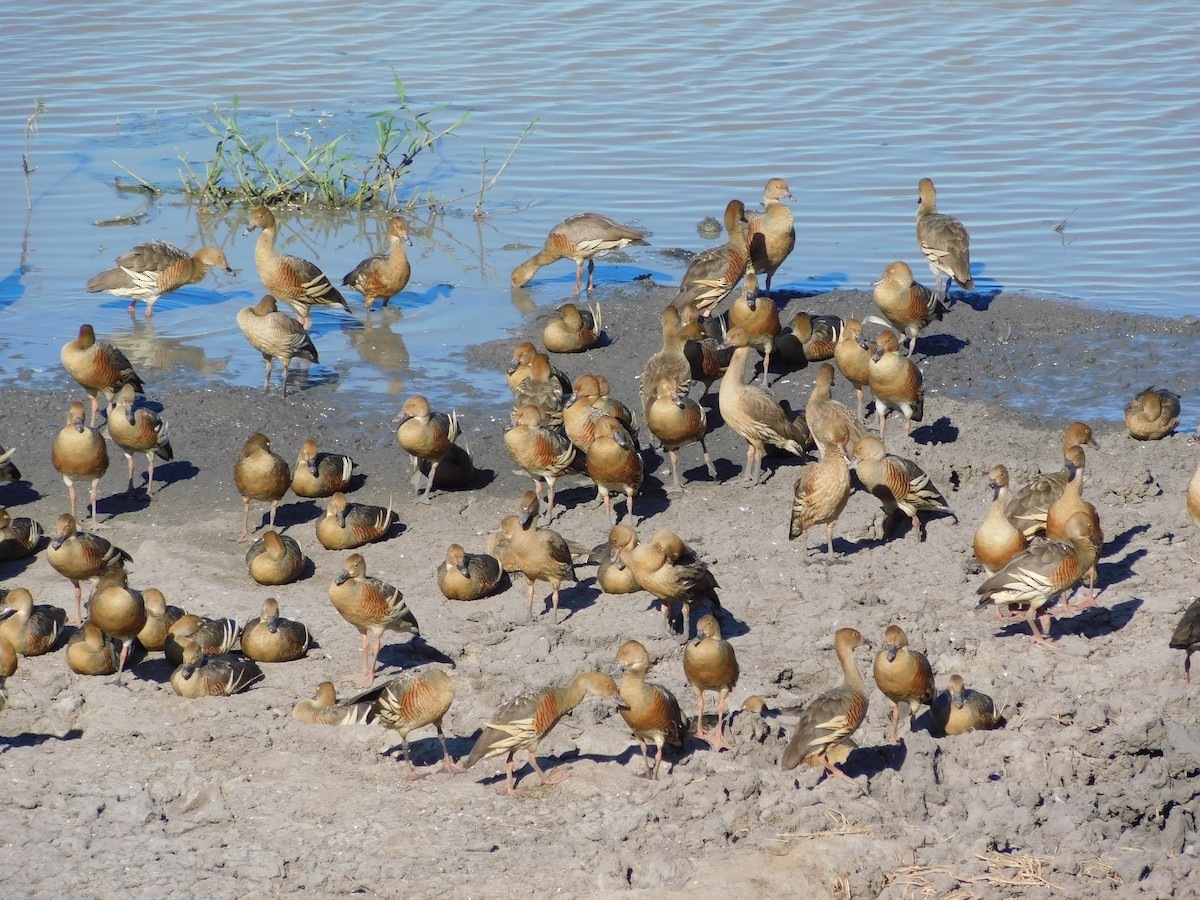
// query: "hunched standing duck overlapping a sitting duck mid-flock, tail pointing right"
[[669, 569]]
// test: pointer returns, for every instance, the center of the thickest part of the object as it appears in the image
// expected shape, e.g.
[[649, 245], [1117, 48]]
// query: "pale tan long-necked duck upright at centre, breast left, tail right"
[[754, 413]]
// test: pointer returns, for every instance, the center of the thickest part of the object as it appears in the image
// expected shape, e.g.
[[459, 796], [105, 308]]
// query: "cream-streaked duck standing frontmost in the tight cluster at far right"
[[1041, 574]]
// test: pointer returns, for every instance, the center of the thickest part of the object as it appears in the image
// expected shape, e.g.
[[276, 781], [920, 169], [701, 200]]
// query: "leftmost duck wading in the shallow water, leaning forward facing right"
[[151, 271]]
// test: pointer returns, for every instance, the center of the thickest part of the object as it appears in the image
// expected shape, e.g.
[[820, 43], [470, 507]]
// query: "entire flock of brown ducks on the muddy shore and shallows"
[[1037, 545]]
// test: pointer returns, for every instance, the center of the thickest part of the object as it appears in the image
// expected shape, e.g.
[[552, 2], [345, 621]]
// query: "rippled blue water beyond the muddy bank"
[[1025, 115]]
